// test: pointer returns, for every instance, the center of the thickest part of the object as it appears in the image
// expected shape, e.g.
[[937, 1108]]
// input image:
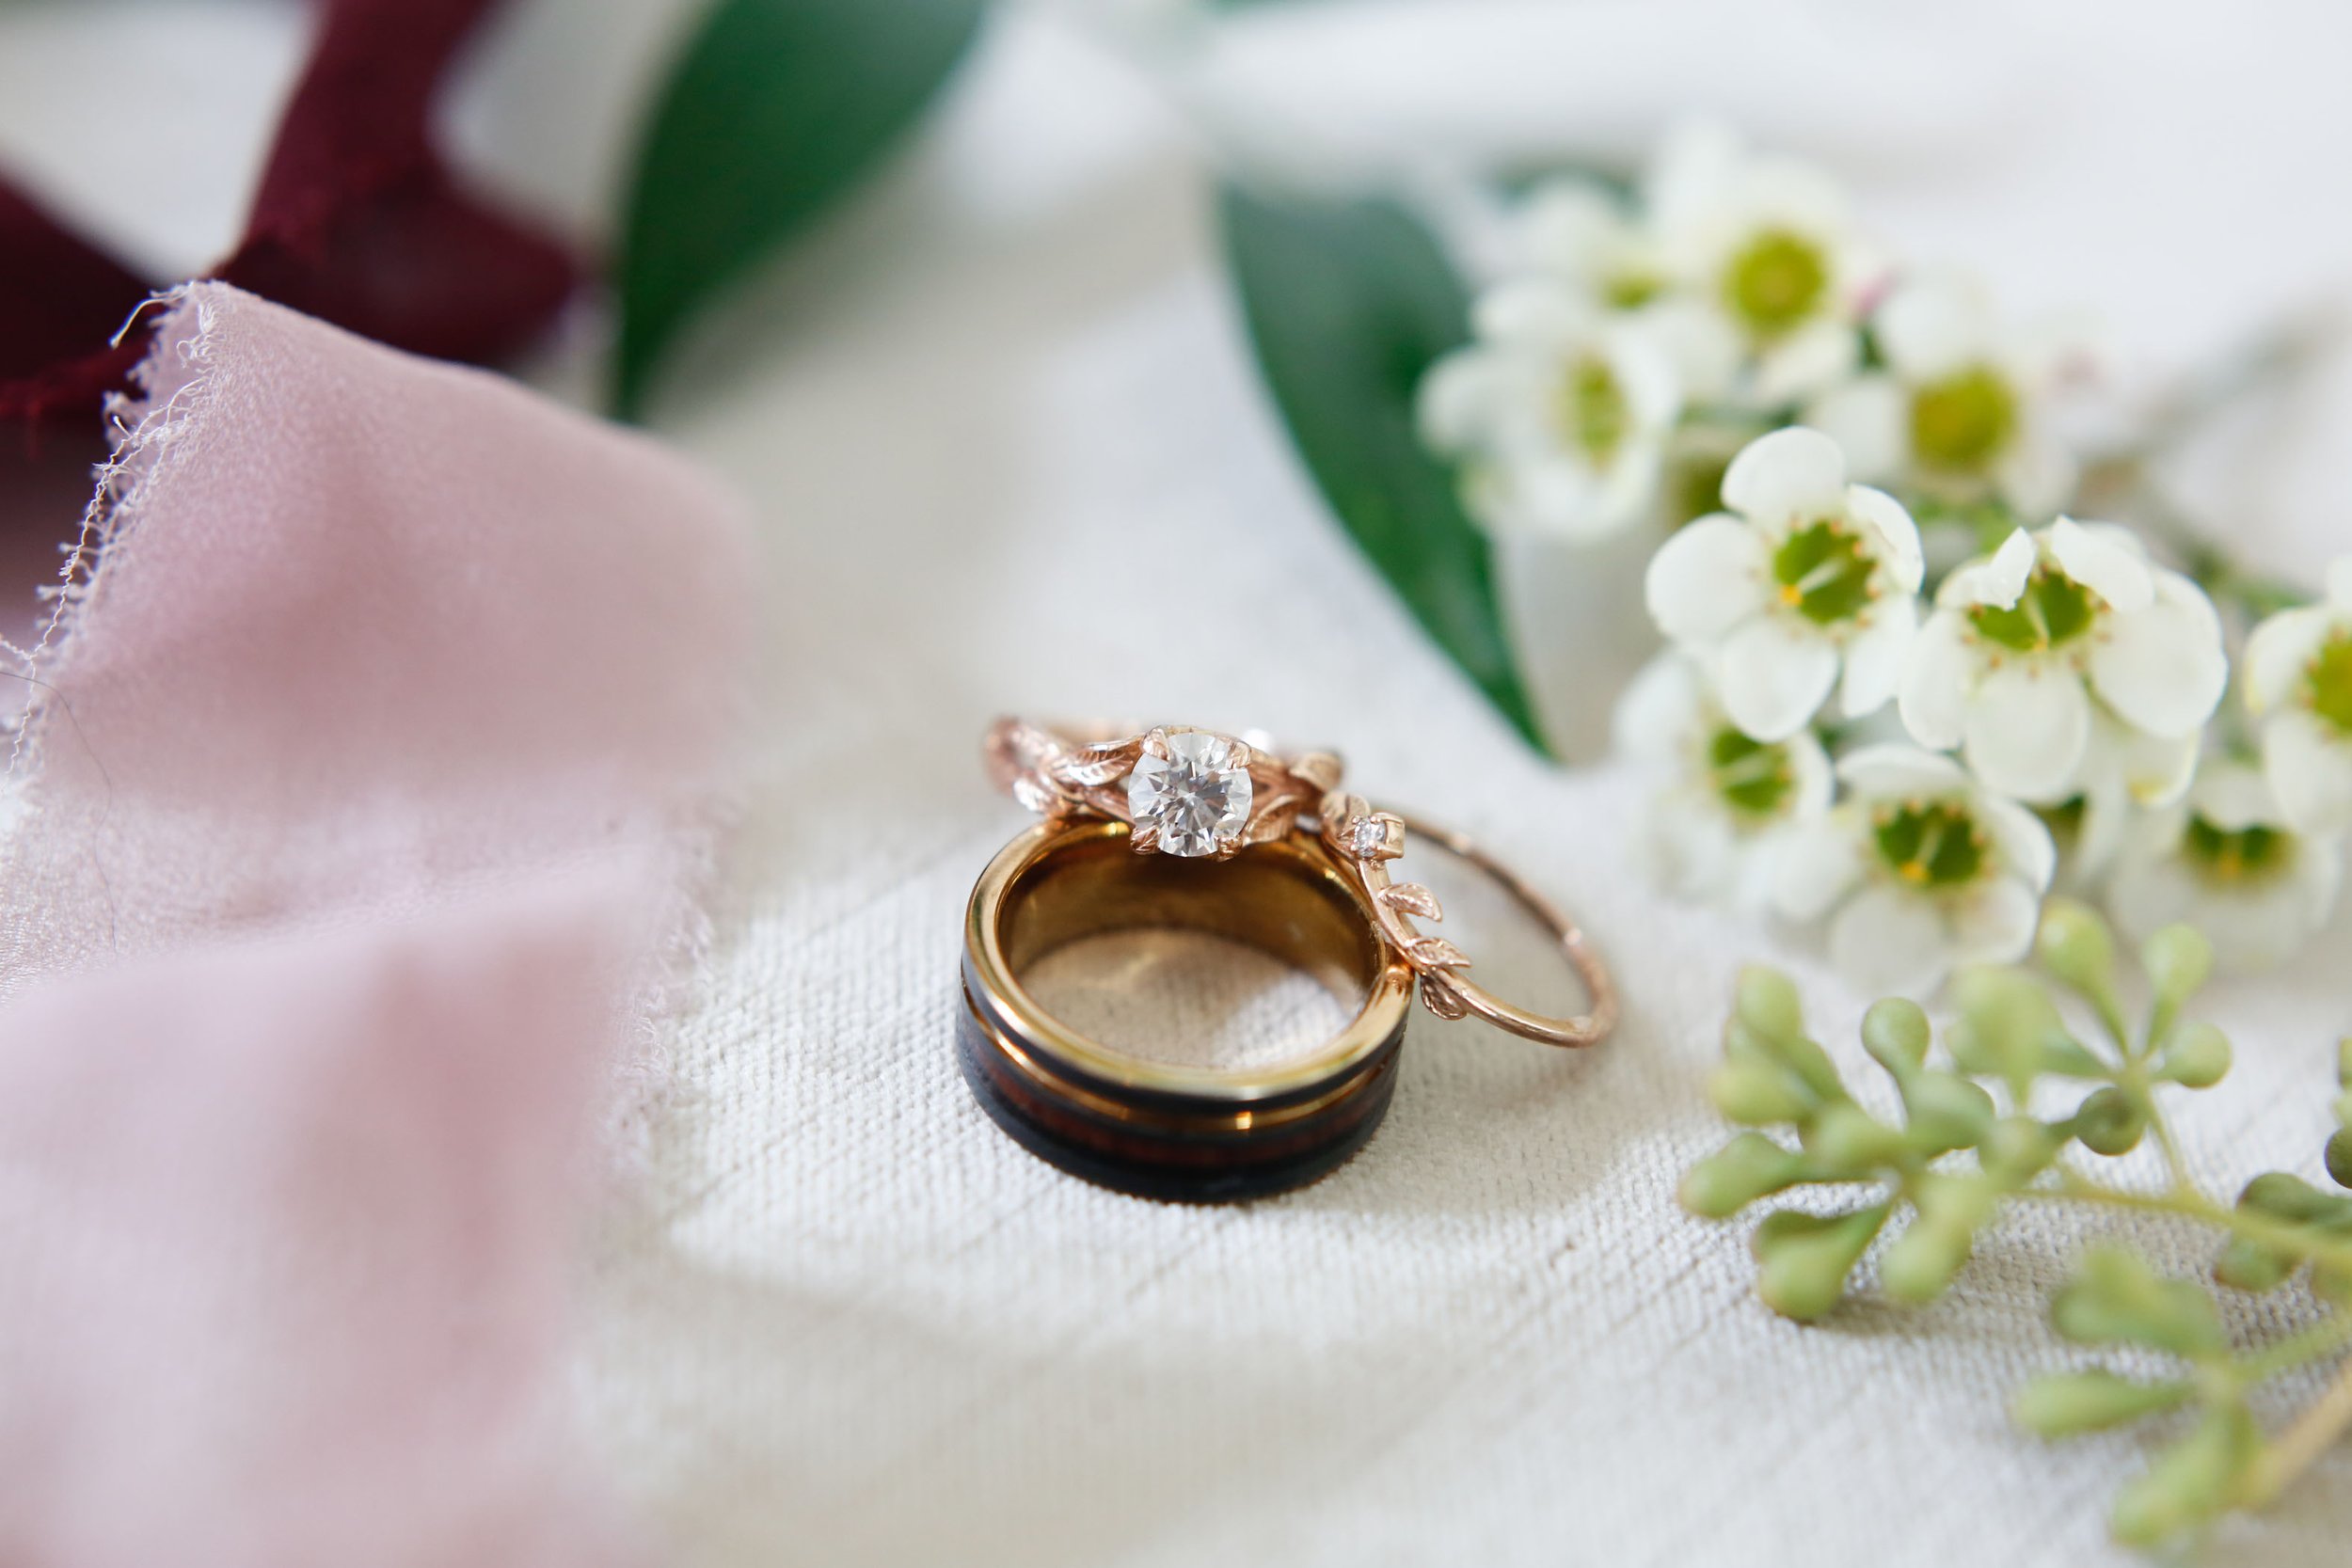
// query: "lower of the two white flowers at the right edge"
[[2229, 864]]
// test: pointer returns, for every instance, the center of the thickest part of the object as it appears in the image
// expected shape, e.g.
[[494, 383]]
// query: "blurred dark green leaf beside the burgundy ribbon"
[[773, 112]]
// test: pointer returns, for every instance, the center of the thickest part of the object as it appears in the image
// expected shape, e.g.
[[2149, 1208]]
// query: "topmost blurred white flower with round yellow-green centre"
[[1770, 262]]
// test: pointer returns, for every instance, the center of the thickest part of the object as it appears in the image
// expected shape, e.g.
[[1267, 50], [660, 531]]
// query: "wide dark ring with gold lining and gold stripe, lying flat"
[[1158, 1127]]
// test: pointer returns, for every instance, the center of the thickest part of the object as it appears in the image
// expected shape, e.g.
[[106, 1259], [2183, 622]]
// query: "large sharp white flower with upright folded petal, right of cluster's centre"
[[2033, 648]]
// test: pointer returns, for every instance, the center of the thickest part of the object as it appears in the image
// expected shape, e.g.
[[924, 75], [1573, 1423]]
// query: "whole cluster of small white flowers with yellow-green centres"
[[1847, 735]]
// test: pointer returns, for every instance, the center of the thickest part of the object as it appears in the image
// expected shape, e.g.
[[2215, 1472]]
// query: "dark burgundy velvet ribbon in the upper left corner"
[[359, 222]]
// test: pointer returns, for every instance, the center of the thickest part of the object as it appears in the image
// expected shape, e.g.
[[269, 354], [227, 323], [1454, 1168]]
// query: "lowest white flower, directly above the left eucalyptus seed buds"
[[1918, 871]]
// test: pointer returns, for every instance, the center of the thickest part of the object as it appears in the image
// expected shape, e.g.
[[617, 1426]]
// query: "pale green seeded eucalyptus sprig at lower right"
[[1970, 1141]]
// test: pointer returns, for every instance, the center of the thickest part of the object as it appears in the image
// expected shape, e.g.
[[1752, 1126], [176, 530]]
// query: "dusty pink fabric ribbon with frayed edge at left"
[[352, 838]]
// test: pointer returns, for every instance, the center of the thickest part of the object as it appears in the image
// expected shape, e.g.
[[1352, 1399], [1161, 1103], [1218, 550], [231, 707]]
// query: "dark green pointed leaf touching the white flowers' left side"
[[1349, 304]]
